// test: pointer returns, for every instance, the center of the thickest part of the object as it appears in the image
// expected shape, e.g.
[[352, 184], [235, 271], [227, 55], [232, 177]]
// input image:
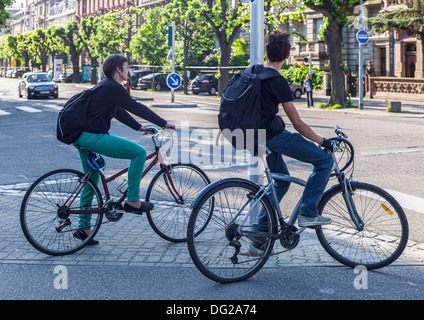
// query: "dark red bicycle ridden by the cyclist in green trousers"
[[55, 203]]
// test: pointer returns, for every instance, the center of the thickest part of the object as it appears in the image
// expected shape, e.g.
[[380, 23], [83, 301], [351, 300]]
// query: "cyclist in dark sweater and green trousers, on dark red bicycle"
[[112, 100]]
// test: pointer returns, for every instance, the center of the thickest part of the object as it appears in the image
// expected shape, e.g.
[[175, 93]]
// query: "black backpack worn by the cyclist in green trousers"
[[72, 117]]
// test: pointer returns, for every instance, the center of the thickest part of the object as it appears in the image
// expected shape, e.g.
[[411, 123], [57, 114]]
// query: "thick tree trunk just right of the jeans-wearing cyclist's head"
[[333, 40]]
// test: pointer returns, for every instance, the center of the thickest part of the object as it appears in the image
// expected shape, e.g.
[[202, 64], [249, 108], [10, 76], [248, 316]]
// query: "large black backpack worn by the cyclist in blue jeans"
[[239, 117]]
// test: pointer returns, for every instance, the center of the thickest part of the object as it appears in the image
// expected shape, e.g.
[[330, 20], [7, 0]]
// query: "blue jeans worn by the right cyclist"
[[295, 146]]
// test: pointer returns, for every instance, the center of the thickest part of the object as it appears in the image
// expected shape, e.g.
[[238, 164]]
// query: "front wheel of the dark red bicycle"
[[170, 216]]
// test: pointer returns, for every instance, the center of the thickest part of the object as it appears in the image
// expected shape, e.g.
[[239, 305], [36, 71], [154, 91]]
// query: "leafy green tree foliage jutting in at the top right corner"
[[409, 19]]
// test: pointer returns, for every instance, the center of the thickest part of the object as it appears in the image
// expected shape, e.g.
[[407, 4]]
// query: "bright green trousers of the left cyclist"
[[114, 147]]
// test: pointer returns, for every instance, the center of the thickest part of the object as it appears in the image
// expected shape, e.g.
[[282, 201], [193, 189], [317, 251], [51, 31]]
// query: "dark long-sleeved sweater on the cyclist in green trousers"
[[112, 100]]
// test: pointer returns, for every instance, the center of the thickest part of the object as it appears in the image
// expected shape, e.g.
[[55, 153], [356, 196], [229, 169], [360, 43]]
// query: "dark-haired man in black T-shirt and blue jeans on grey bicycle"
[[299, 145]]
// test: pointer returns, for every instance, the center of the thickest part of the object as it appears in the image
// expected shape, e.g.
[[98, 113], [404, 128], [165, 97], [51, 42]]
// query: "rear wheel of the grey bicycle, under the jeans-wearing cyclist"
[[211, 250]]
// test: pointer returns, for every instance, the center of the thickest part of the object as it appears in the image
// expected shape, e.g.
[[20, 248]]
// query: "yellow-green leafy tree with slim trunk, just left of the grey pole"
[[226, 21]]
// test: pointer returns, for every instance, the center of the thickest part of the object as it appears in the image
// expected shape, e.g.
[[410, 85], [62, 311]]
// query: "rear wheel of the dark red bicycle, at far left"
[[42, 212]]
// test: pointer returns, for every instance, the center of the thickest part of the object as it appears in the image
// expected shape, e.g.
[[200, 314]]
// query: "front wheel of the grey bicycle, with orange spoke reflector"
[[385, 233]]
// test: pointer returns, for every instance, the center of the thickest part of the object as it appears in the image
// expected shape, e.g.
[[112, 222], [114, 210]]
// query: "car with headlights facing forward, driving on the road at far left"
[[37, 84]]
